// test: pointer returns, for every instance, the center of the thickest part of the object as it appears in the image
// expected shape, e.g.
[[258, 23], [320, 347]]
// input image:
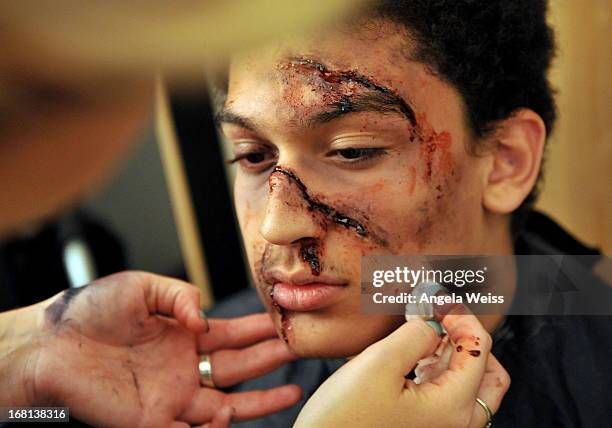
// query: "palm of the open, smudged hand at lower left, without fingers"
[[142, 367]]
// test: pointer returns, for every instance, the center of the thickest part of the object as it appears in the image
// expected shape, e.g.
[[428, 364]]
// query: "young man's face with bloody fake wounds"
[[345, 148]]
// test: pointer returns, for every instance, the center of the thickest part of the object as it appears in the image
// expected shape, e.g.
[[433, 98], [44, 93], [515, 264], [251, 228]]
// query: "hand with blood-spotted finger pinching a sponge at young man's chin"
[[371, 389]]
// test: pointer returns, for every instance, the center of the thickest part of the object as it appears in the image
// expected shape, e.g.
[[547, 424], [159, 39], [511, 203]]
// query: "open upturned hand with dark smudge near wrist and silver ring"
[[124, 351]]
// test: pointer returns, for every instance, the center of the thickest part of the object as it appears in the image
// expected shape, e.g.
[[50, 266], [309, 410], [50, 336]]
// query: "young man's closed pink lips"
[[304, 292]]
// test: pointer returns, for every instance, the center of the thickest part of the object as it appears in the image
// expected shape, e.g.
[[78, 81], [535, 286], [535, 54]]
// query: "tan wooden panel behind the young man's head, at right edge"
[[578, 172]]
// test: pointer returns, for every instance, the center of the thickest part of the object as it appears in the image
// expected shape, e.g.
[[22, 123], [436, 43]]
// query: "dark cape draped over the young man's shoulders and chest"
[[559, 365]]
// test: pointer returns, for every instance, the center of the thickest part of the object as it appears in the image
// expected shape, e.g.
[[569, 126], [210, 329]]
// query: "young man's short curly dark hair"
[[495, 52]]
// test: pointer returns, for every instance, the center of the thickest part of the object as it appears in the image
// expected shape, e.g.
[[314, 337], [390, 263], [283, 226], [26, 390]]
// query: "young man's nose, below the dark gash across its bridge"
[[288, 217]]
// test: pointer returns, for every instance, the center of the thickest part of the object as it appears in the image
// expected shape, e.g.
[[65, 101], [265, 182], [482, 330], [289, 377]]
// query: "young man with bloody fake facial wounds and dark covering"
[[418, 130]]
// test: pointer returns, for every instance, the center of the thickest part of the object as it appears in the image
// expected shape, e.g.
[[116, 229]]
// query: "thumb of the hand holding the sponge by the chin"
[[398, 353]]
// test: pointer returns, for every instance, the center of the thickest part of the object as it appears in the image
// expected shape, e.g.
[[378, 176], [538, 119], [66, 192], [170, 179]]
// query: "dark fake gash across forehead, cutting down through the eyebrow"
[[384, 99]]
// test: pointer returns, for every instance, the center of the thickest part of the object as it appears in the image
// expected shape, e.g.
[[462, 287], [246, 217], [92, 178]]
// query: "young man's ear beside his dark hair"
[[517, 147]]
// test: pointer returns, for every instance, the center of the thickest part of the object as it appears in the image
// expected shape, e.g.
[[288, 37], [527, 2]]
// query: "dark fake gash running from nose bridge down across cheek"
[[330, 213]]
